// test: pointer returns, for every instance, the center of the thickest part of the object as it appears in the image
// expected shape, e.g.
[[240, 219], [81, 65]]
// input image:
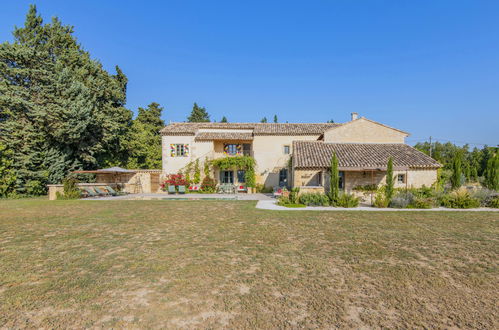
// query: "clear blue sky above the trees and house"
[[428, 67]]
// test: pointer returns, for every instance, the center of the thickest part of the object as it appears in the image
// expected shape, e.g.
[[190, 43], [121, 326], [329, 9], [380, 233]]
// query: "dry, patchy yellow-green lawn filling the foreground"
[[212, 264]]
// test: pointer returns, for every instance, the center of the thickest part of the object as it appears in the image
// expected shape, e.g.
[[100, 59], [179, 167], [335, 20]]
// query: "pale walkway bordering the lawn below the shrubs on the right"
[[271, 205]]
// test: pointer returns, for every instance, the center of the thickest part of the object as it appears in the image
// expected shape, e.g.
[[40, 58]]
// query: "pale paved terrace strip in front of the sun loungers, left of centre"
[[191, 196]]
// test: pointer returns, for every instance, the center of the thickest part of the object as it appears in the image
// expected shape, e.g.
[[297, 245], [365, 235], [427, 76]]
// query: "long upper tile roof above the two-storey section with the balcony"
[[258, 128]]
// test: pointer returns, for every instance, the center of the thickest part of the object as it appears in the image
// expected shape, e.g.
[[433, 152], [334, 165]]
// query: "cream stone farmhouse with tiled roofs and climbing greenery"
[[299, 154]]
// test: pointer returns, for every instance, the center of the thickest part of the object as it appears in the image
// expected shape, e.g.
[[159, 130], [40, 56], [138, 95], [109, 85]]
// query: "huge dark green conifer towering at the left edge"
[[61, 110]]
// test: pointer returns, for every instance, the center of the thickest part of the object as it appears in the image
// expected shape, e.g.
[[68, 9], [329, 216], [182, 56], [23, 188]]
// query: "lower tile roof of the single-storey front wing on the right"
[[317, 154]]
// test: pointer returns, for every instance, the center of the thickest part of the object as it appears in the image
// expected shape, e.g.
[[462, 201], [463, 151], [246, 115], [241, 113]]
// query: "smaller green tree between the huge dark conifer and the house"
[[144, 145]]
